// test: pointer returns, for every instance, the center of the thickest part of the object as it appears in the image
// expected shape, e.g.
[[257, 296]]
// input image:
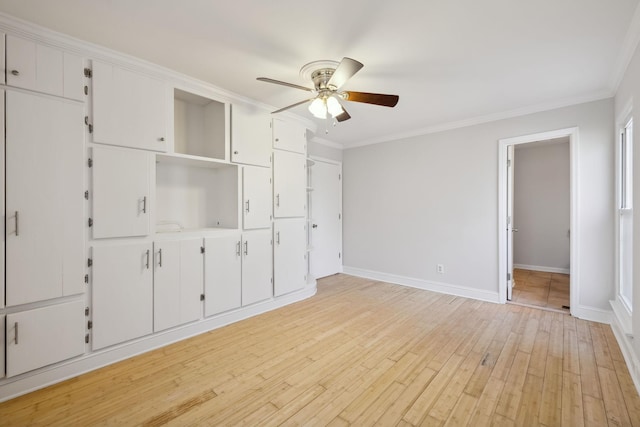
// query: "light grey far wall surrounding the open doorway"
[[433, 199]]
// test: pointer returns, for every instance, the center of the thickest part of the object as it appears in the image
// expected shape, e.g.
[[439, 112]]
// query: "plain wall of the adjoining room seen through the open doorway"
[[542, 205]]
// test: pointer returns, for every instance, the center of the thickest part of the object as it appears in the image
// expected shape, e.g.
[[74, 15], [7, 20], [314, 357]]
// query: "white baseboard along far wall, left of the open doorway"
[[443, 288]]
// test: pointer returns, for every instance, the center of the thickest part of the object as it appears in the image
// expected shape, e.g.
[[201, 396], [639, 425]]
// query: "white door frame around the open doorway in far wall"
[[574, 237]]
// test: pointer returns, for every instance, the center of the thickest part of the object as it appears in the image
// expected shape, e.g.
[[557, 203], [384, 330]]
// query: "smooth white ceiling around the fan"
[[451, 62]]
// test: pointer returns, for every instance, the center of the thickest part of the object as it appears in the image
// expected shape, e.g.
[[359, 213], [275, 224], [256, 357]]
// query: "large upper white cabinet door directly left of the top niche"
[[129, 109]]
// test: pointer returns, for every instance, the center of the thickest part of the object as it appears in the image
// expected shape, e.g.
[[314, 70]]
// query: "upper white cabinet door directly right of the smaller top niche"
[[250, 136]]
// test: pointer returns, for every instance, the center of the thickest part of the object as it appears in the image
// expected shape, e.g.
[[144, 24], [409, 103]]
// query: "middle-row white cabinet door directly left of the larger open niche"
[[121, 202]]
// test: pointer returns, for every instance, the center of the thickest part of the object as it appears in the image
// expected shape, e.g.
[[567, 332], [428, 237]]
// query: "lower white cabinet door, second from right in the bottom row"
[[256, 266]]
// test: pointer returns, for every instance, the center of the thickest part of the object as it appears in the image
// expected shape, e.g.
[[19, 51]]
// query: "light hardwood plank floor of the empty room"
[[360, 353]]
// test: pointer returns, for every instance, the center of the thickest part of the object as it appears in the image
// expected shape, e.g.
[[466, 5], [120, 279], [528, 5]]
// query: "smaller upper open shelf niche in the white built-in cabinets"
[[200, 126]]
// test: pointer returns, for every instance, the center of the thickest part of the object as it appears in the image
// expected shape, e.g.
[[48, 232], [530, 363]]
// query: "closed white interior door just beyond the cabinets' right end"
[[326, 219]]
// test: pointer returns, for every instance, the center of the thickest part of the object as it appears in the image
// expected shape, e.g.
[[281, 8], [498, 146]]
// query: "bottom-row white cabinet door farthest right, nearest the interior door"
[[289, 255]]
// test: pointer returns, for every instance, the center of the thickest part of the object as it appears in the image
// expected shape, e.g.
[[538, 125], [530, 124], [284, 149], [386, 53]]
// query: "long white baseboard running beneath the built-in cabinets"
[[44, 377]]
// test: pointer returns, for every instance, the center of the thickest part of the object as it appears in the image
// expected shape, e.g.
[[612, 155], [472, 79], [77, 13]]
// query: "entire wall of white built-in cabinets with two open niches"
[[135, 204]]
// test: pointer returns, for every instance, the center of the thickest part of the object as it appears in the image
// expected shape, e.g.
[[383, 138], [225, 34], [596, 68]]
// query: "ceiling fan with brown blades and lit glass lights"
[[328, 77]]
